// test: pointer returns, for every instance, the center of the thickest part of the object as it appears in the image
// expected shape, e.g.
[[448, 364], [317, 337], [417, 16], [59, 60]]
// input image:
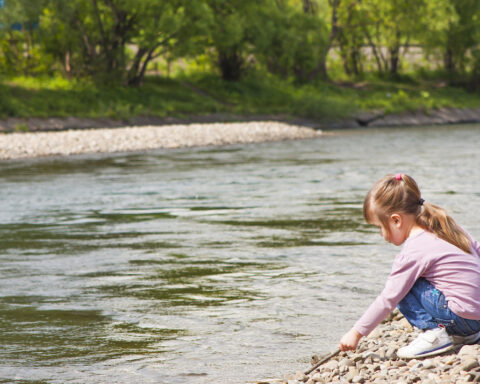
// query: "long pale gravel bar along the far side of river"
[[107, 140]]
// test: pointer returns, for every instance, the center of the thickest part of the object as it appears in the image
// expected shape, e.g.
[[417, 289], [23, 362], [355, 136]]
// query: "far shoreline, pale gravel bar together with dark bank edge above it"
[[36, 137]]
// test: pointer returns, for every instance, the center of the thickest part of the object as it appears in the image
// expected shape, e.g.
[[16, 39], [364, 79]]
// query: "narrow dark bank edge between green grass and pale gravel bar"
[[365, 119]]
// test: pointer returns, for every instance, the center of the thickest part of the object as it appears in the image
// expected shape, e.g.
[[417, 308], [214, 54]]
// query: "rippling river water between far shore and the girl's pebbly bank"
[[207, 265]]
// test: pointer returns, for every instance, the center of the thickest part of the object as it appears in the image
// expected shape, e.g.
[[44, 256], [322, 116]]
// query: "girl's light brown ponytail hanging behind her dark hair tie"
[[436, 220]]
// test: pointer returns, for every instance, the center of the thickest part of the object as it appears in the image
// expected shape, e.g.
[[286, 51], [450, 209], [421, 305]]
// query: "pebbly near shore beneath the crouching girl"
[[375, 361]]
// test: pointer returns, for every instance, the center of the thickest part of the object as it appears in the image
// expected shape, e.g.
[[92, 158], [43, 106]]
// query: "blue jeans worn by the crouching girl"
[[425, 307]]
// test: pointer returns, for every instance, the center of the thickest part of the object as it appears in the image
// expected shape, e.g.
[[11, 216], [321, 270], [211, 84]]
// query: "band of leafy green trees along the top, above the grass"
[[117, 42]]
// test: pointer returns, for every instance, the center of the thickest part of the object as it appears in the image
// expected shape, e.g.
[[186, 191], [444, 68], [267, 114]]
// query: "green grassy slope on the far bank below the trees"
[[206, 94]]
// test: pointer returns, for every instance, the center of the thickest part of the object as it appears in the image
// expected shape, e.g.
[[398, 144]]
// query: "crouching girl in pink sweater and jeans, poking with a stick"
[[435, 279]]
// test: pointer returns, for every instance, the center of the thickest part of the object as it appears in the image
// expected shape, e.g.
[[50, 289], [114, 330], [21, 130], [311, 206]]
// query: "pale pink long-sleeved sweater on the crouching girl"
[[453, 272]]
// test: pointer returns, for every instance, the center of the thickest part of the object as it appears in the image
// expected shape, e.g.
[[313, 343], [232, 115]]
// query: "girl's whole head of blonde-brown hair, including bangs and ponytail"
[[400, 194]]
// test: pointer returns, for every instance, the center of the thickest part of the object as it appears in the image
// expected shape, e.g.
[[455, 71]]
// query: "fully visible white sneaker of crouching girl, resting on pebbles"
[[429, 343]]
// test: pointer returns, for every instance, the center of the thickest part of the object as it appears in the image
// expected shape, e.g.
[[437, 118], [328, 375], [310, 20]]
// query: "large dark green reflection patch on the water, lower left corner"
[[54, 336]]
